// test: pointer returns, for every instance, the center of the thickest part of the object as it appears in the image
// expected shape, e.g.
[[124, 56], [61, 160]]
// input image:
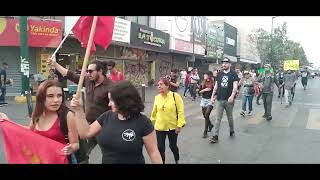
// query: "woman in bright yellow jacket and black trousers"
[[168, 118]]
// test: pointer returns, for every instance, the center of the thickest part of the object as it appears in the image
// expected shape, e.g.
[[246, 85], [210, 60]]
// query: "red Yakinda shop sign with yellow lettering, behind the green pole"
[[40, 33]]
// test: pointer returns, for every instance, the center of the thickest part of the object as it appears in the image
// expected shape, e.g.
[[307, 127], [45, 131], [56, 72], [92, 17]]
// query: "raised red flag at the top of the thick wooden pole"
[[102, 35]]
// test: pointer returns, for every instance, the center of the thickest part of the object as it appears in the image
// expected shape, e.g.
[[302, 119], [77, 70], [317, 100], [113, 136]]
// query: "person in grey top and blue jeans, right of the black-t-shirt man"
[[247, 92]]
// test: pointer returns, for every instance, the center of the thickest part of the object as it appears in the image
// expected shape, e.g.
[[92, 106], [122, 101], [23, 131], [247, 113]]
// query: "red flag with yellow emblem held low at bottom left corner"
[[22, 146]]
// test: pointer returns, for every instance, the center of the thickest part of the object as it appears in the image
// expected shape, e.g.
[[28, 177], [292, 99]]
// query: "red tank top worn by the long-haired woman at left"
[[54, 132]]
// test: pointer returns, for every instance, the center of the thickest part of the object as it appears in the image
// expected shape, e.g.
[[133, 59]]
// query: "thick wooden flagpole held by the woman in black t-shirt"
[[86, 57]]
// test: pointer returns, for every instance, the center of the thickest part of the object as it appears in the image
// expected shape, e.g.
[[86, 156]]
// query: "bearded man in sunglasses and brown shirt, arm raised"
[[97, 88]]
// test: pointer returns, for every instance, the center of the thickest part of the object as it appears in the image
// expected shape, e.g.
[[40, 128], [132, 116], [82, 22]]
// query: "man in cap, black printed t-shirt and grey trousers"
[[224, 91]]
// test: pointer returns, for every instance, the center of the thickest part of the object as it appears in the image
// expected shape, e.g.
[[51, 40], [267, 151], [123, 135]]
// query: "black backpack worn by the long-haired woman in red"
[[81, 154]]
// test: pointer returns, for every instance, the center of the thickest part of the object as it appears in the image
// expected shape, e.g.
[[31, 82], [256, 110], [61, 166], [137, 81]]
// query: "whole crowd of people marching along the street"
[[112, 116]]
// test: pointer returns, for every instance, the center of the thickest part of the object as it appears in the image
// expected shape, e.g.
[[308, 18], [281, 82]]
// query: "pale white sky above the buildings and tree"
[[302, 29]]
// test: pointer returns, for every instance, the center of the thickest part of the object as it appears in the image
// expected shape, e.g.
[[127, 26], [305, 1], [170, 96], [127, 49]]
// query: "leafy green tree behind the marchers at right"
[[278, 47]]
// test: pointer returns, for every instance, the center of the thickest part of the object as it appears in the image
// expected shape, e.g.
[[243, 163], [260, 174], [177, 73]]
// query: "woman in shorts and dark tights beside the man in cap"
[[206, 89]]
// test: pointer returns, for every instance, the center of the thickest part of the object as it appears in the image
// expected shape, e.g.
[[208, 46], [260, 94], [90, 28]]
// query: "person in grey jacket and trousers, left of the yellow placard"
[[267, 80]]
